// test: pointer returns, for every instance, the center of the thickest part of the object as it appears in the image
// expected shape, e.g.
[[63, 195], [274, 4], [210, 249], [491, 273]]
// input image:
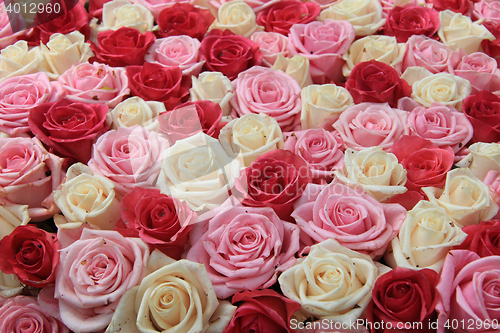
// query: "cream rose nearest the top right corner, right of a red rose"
[[459, 30]]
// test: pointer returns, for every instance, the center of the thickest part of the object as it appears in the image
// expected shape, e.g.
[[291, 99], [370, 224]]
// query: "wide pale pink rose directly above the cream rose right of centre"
[[366, 125]]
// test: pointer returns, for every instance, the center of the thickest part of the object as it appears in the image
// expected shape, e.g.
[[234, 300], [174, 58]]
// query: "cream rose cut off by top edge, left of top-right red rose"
[[364, 15]]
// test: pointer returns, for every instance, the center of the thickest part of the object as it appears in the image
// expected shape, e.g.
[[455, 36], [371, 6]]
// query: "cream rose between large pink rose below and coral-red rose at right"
[[377, 172]]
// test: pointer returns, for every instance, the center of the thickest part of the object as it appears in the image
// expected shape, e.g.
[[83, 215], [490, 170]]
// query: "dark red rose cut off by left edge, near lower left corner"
[[30, 253]]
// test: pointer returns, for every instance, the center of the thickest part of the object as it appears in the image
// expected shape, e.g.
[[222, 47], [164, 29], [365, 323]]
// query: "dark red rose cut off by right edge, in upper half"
[[483, 111]]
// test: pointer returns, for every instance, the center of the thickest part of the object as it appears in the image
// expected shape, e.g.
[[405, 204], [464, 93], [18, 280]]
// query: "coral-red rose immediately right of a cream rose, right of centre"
[[426, 164]]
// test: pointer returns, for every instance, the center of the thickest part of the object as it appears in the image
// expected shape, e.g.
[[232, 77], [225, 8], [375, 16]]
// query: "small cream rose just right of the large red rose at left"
[[136, 111]]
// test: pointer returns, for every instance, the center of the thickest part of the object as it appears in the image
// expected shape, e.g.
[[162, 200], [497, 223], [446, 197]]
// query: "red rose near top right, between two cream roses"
[[404, 22]]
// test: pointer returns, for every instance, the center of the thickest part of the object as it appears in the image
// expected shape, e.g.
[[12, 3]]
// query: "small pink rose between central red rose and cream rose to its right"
[[322, 150]]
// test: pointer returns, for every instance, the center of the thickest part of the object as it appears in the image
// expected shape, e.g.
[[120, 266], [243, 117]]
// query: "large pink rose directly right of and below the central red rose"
[[350, 216]]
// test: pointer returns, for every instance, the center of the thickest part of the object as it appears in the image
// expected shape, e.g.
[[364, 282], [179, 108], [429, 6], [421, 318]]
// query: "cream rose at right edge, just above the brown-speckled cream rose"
[[464, 197]]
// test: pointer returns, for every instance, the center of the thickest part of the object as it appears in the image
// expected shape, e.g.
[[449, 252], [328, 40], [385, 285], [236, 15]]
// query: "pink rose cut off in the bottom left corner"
[[25, 313]]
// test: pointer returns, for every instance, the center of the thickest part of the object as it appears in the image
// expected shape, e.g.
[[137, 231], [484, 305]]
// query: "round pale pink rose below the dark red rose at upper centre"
[[265, 90]]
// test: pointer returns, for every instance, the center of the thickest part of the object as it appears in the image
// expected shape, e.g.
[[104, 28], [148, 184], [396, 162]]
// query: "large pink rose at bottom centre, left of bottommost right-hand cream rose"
[[245, 248]]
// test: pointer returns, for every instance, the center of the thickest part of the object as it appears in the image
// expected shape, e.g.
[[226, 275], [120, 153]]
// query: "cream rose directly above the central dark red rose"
[[251, 136]]
